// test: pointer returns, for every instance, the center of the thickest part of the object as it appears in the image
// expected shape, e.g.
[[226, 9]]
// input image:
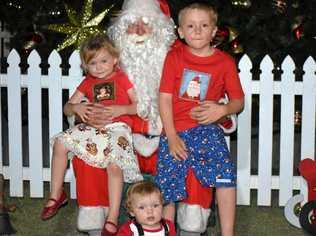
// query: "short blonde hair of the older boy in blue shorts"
[[198, 6]]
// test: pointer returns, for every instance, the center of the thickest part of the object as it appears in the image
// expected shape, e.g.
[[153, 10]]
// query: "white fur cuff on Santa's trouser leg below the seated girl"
[[91, 218]]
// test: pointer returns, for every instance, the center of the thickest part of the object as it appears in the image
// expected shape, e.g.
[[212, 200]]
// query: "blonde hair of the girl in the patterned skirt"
[[93, 44]]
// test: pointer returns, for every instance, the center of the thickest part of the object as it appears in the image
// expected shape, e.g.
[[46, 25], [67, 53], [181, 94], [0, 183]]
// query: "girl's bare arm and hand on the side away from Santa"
[[74, 107]]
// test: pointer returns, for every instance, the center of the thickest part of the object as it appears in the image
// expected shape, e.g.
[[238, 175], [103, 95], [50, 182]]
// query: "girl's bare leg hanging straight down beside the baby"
[[115, 184]]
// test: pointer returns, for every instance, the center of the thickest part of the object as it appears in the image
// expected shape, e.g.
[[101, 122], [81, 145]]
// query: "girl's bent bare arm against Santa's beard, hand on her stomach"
[[118, 110]]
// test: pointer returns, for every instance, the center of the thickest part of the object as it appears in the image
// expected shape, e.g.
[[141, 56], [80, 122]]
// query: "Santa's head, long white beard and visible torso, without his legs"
[[144, 33]]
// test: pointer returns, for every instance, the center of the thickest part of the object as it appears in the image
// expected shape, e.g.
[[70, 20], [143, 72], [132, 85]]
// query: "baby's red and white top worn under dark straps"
[[130, 229]]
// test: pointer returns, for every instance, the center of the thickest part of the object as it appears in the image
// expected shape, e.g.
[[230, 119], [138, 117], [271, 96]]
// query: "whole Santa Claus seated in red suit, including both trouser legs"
[[143, 32]]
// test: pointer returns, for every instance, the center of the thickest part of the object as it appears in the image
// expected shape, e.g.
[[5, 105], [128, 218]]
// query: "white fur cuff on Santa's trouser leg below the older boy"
[[192, 218]]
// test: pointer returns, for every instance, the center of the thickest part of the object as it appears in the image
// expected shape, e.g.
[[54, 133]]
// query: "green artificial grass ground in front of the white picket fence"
[[250, 220]]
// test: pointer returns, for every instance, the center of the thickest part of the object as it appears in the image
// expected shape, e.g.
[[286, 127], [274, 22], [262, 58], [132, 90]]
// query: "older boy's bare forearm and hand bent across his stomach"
[[209, 111]]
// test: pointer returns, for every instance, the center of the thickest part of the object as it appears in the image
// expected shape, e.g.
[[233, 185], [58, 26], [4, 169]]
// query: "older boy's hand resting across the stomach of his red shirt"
[[208, 112]]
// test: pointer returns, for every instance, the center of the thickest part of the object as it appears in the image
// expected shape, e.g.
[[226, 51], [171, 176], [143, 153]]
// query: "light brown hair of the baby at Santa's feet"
[[142, 188]]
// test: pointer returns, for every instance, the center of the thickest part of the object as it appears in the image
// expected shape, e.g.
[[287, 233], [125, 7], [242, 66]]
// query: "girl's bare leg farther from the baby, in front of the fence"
[[59, 166]]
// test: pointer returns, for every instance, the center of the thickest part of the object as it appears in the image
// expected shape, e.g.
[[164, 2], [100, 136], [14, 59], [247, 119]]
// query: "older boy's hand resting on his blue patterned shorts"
[[177, 148]]
